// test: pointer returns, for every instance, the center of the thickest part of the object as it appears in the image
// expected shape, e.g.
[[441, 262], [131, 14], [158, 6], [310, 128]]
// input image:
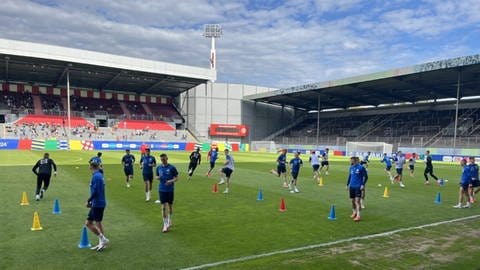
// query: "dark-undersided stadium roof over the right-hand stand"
[[430, 81]]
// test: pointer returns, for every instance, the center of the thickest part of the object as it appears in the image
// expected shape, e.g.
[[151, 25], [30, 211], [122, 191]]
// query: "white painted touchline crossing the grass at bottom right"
[[291, 250]]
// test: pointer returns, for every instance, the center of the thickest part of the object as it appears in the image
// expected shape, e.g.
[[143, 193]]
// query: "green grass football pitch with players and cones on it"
[[235, 231]]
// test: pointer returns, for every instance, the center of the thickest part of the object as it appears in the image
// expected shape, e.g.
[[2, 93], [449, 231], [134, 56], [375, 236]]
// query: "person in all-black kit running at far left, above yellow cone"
[[43, 174]]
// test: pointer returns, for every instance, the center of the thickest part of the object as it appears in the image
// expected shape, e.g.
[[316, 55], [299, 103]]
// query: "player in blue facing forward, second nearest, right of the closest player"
[[168, 175]]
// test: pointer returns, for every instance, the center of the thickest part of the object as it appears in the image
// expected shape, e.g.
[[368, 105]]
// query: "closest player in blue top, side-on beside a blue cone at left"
[[97, 203]]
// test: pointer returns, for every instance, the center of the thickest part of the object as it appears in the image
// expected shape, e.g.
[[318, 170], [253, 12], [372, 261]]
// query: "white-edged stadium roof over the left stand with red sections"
[[45, 64]]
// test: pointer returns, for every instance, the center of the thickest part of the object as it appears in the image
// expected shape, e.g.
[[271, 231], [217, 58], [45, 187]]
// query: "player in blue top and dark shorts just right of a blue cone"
[[355, 184]]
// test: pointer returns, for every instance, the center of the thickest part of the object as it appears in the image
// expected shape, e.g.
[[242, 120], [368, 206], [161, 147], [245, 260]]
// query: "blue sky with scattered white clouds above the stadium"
[[266, 43]]
